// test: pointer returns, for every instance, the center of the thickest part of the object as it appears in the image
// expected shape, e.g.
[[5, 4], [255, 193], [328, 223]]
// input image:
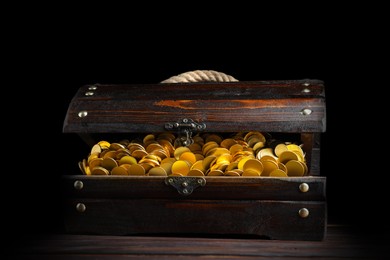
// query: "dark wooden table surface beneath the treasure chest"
[[341, 242]]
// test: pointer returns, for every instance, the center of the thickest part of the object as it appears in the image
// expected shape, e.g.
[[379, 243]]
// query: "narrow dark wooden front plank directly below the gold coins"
[[226, 188]]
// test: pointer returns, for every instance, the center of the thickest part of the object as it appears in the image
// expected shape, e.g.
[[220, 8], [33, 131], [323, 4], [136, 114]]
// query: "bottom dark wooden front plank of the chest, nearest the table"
[[271, 219]]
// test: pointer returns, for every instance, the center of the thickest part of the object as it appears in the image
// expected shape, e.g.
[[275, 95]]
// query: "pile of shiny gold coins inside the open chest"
[[242, 154]]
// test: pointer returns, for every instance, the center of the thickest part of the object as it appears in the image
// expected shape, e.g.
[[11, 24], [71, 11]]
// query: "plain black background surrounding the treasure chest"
[[51, 57]]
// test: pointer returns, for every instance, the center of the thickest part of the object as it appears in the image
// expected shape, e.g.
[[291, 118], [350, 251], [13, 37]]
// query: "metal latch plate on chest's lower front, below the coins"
[[185, 185]]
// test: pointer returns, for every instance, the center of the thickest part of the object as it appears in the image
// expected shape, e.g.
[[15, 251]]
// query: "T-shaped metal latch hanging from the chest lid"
[[185, 127]]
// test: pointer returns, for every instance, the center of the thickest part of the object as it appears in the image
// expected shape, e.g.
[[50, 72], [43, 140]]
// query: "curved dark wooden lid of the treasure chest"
[[292, 106]]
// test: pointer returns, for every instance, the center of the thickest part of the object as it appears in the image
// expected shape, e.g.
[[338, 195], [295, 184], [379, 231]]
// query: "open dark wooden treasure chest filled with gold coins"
[[240, 199]]
